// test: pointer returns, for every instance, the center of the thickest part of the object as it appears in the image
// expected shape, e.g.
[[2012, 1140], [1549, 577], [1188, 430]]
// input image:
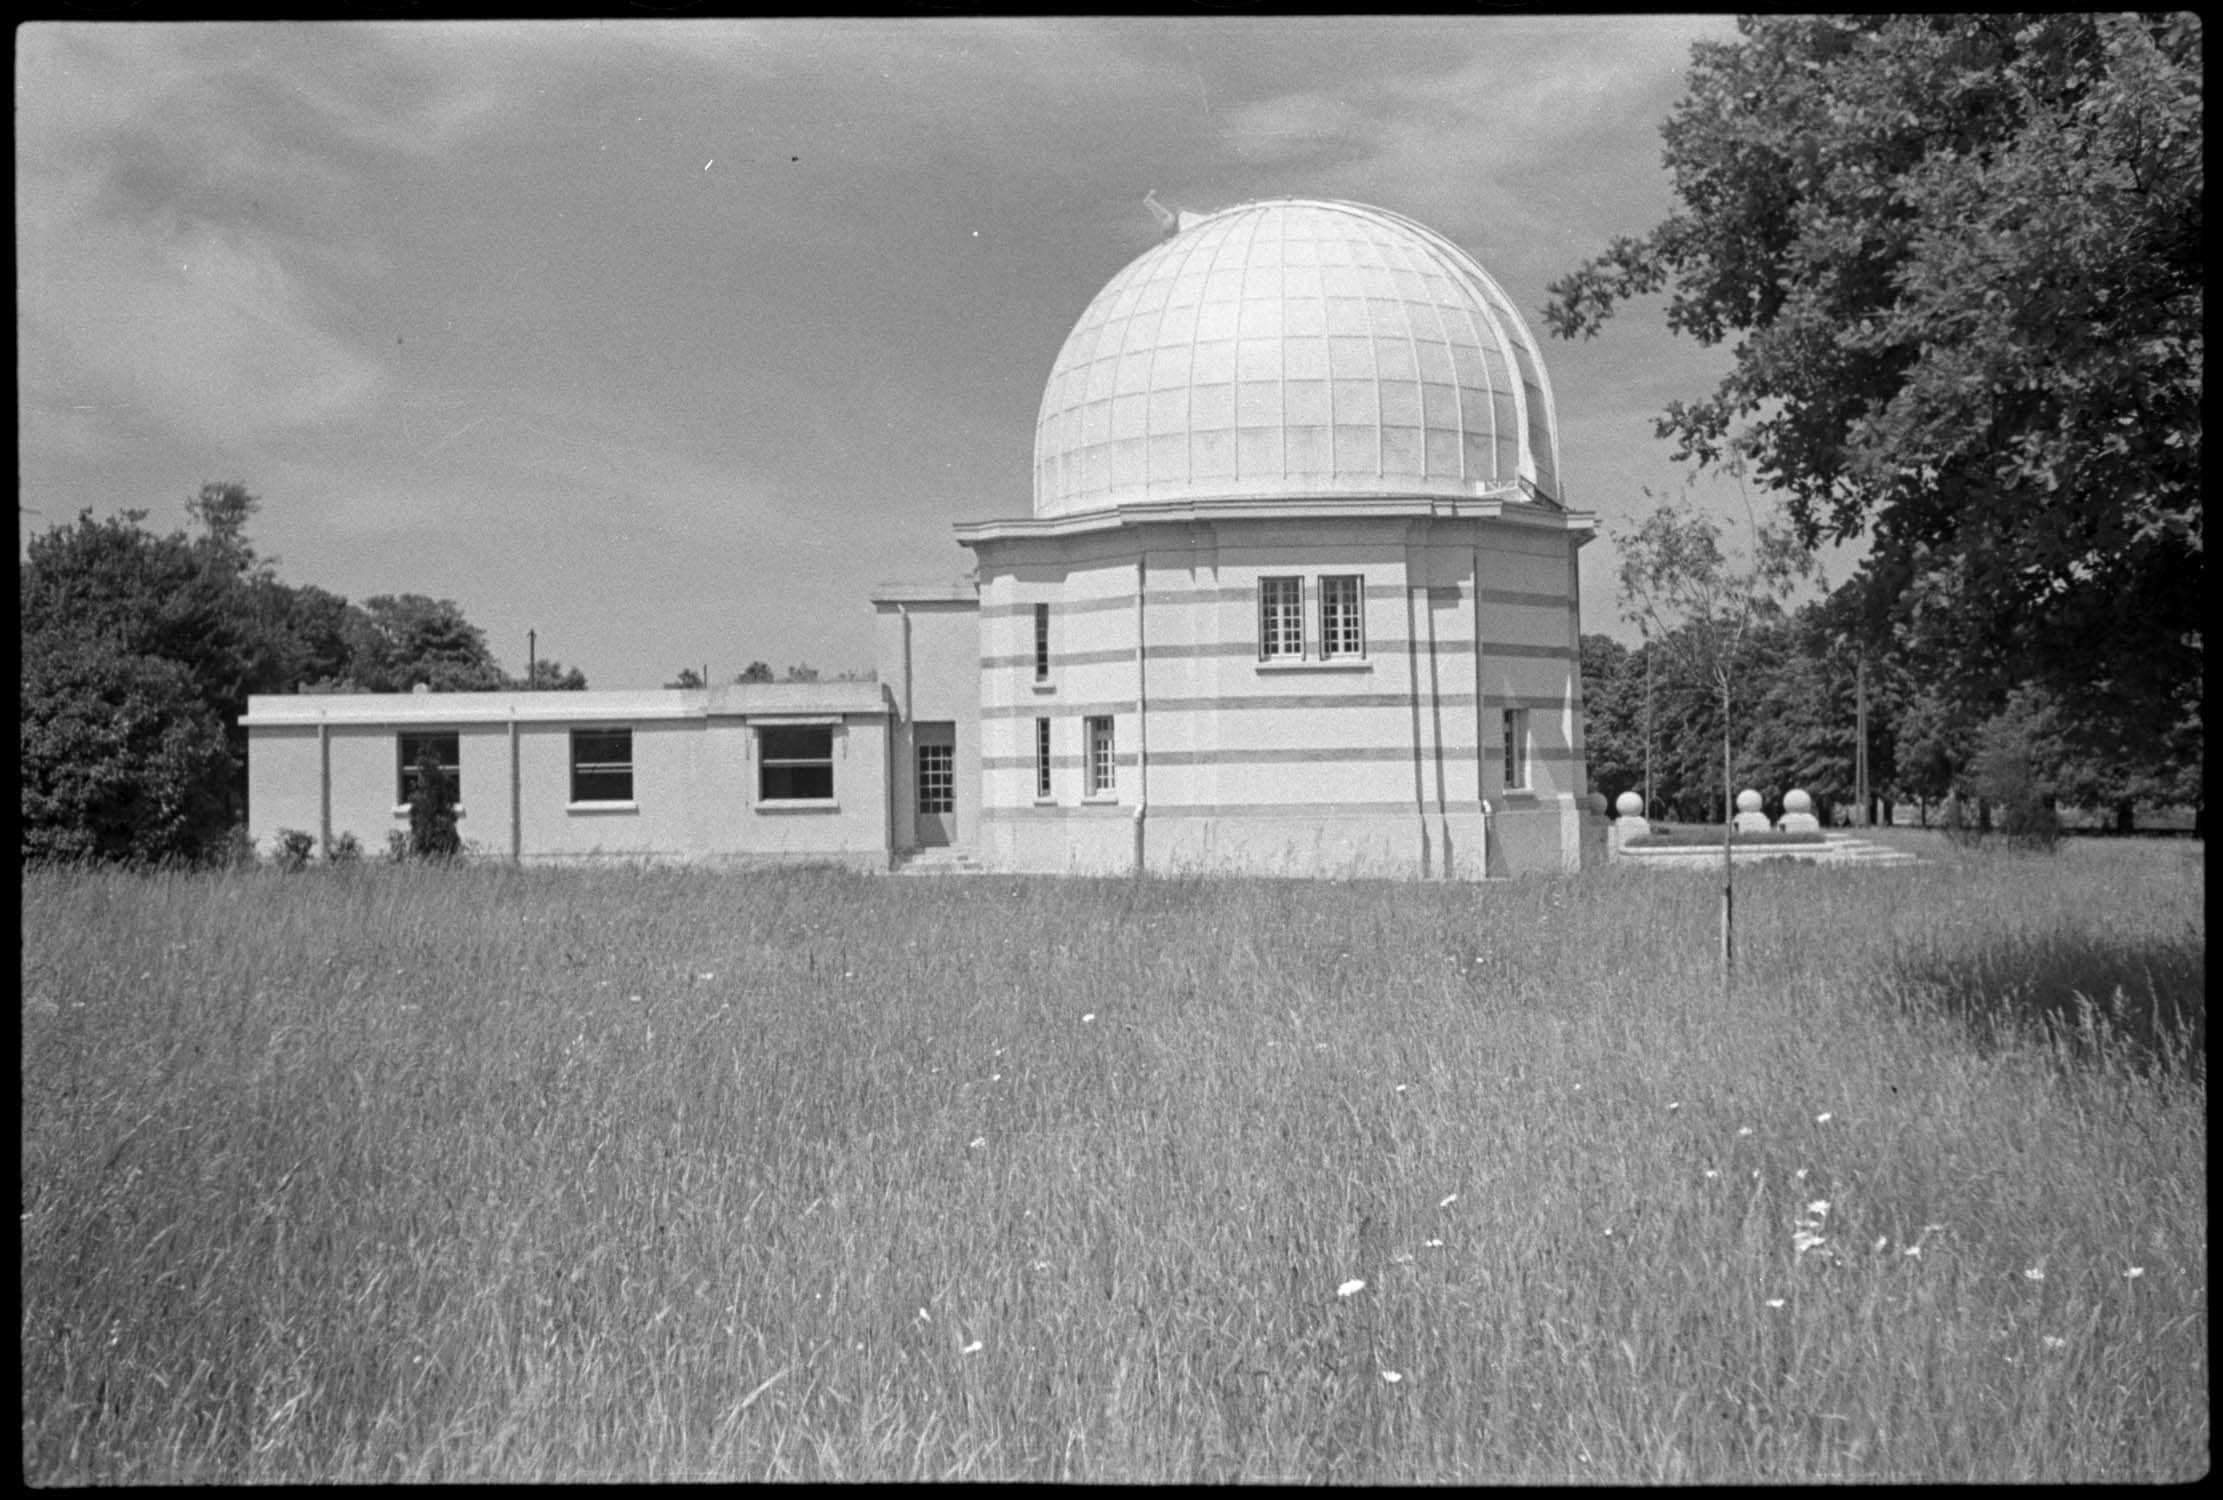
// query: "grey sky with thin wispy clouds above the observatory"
[[670, 341]]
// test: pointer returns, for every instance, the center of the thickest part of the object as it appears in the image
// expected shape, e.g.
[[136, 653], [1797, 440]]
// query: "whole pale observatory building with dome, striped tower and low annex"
[[1299, 597]]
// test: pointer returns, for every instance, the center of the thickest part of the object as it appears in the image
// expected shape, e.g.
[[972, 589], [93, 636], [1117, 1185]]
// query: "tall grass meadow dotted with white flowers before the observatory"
[[490, 1174]]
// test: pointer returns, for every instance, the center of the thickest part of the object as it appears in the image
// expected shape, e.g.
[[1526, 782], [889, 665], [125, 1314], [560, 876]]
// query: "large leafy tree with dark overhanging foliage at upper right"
[[1964, 266]]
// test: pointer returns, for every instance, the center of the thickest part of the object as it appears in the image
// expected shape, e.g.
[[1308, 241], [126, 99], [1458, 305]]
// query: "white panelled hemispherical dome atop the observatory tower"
[[1295, 348]]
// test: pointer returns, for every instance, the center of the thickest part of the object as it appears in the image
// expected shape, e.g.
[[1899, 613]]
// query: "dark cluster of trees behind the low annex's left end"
[[139, 657]]
